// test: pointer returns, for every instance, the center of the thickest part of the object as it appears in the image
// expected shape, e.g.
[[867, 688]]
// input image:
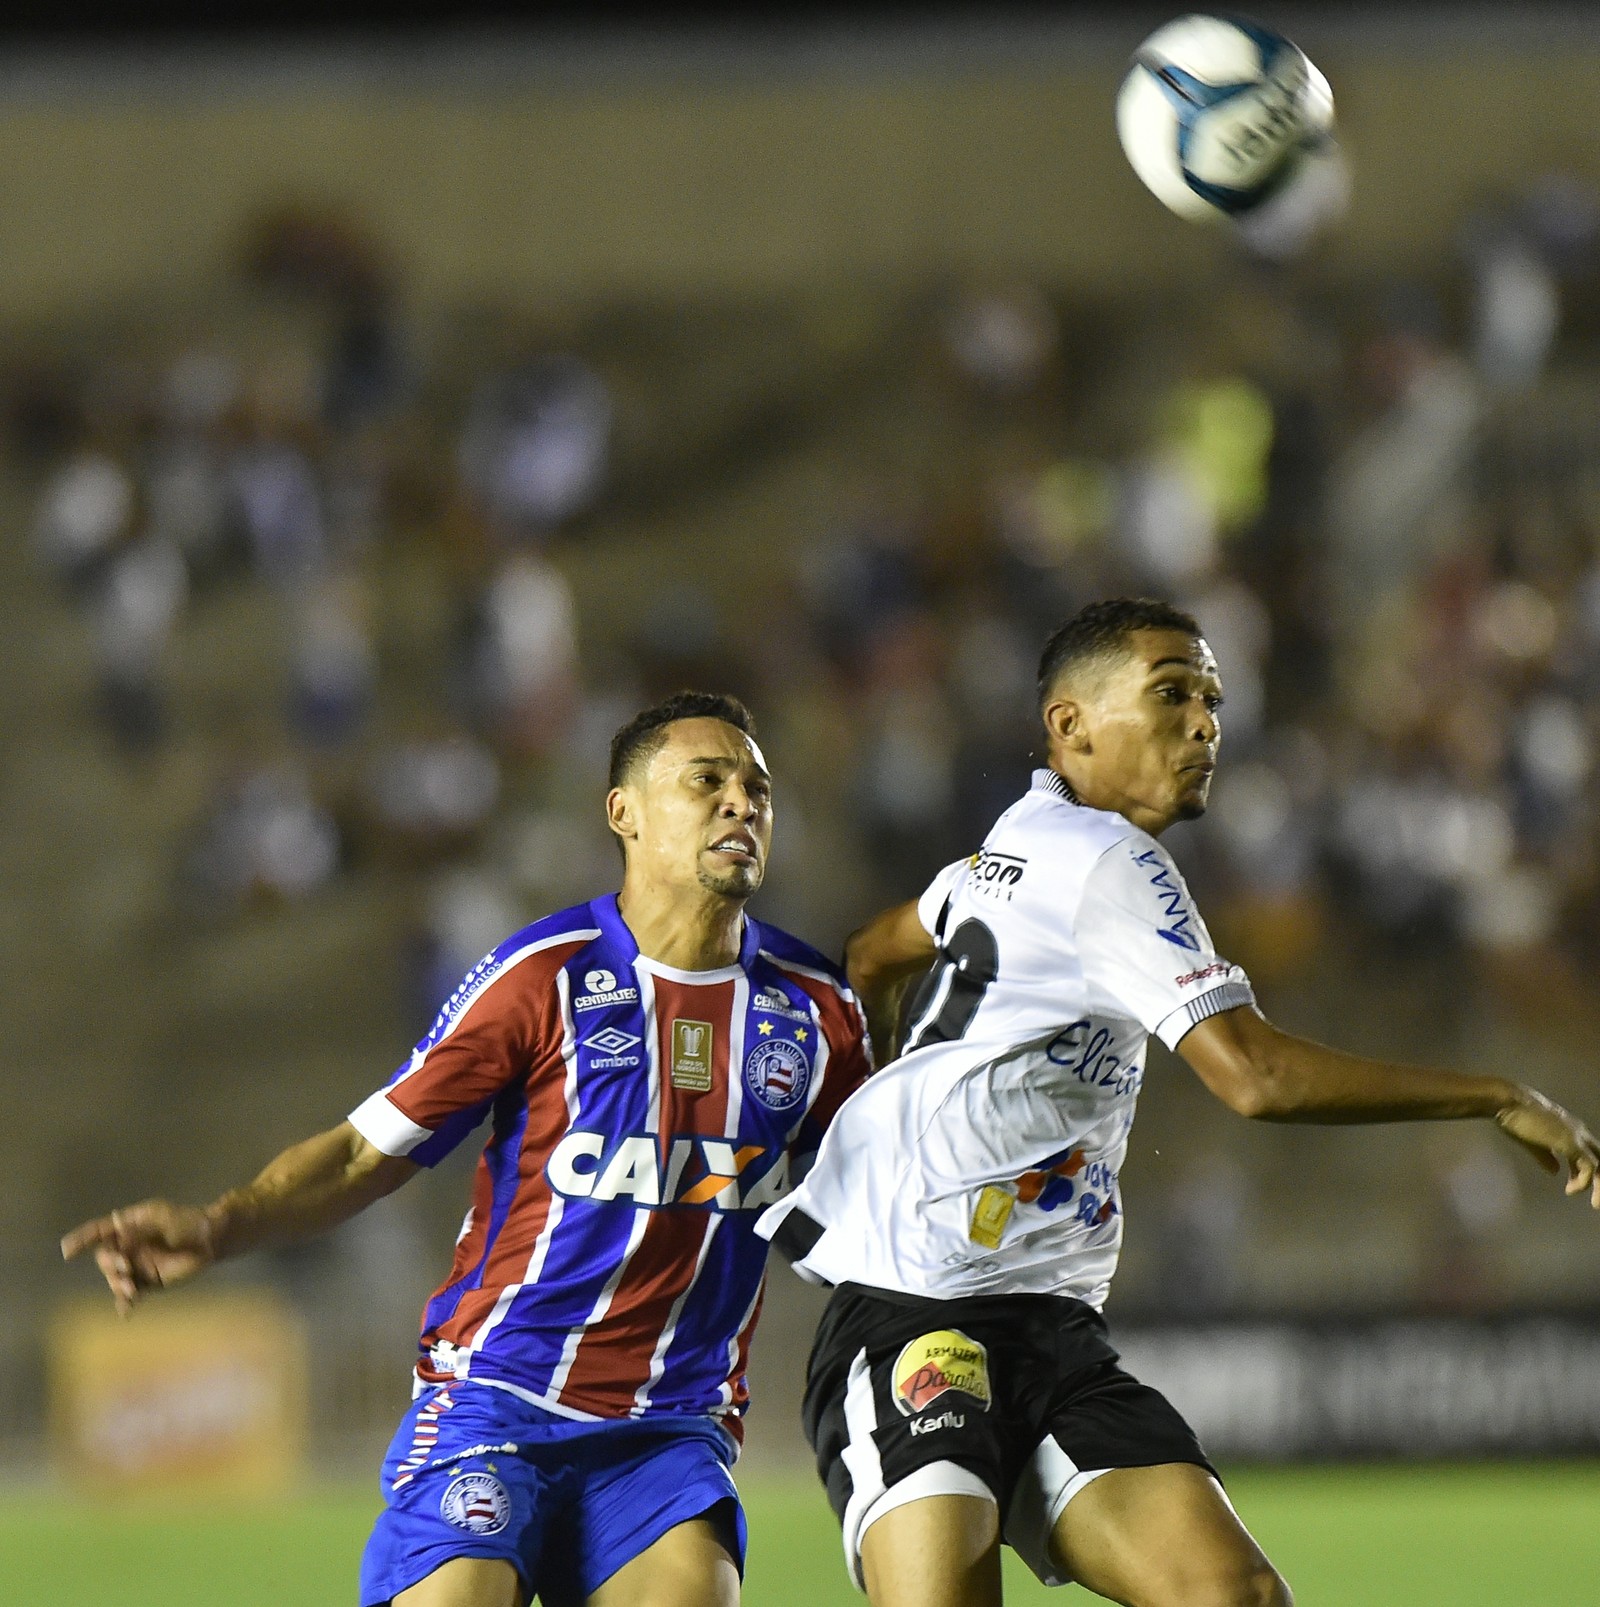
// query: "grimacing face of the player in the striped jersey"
[[703, 811]]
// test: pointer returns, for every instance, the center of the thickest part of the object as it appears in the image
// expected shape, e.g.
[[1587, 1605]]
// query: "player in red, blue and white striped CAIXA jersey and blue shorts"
[[655, 1068]]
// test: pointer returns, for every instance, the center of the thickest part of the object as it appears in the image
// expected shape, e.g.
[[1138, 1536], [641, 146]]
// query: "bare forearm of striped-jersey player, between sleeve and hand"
[[308, 1190]]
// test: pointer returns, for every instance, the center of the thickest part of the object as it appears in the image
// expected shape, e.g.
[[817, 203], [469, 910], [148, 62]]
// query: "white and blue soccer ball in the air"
[[1218, 115]]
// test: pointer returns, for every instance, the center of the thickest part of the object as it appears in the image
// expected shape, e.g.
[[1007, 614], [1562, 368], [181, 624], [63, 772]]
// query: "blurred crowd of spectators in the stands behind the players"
[[1381, 504]]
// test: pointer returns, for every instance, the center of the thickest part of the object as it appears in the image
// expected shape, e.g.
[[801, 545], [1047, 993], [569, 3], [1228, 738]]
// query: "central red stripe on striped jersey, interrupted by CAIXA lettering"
[[614, 1357]]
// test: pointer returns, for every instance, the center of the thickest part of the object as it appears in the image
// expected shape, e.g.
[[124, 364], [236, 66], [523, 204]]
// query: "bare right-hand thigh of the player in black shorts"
[[1164, 1537]]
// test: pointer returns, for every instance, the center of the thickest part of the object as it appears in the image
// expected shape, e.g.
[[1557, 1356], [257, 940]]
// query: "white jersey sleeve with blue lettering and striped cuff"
[[1145, 949]]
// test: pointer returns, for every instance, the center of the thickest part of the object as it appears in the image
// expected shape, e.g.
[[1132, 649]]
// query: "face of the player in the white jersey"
[[1153, 730]]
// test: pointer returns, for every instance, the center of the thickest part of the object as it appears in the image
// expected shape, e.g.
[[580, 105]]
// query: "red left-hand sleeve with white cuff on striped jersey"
[[489, 1034]]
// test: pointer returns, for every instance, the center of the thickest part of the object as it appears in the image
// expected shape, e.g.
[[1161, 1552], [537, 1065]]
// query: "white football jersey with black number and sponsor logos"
[[986, 1159]]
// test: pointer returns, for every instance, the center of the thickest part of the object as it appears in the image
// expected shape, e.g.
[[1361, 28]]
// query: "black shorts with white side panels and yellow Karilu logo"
[[1016, 1397]]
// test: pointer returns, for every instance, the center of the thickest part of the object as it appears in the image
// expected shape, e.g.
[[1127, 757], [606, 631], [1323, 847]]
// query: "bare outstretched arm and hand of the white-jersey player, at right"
[[1271, 1076]]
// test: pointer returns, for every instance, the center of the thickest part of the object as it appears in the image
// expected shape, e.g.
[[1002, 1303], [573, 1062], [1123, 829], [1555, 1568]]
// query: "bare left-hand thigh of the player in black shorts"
[[941, 1552]]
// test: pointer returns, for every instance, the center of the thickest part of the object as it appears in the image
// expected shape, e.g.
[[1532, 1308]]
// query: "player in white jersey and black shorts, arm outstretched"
[[965, 1203]]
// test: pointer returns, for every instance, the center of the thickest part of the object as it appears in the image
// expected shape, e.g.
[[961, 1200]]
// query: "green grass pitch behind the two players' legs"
[[1458, 1537]]
